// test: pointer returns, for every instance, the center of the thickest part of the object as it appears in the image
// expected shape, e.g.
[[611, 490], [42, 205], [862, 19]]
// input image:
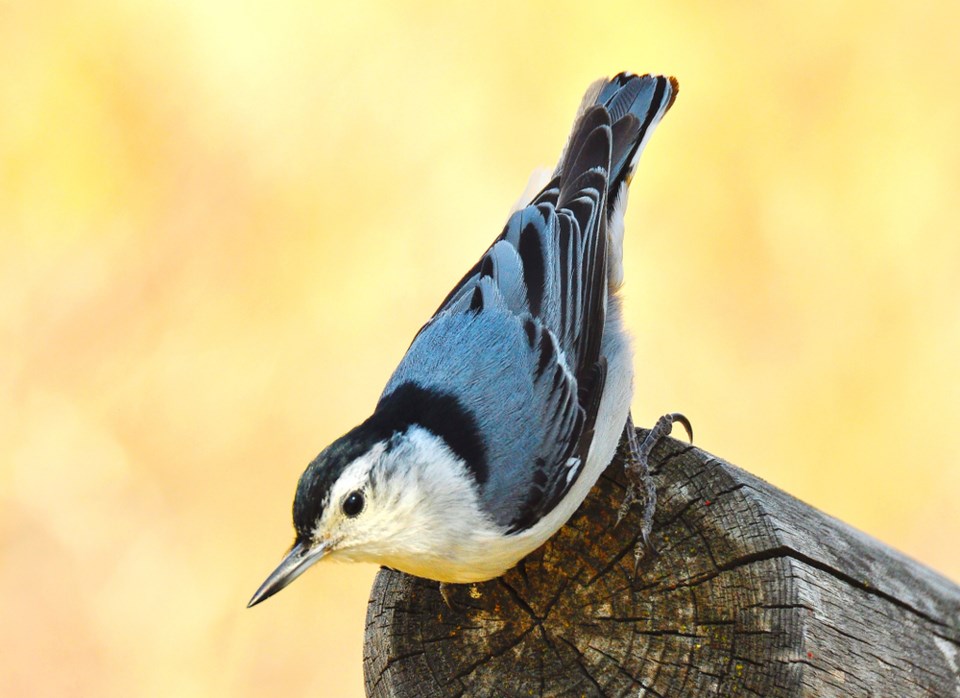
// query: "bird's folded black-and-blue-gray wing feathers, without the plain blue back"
[[548, 268]]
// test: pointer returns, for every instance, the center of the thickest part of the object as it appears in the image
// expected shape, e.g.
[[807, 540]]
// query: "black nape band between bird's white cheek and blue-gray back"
[[438, 412]]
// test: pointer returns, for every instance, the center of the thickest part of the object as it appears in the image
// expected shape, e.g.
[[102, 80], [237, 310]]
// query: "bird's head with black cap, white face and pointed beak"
[[391, 491]]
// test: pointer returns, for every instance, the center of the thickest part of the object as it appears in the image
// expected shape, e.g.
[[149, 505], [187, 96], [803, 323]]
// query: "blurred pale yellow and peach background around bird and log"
[[222, 223]]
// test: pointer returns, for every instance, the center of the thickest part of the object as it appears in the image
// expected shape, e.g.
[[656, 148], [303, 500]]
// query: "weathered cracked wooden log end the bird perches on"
[[753, 593]]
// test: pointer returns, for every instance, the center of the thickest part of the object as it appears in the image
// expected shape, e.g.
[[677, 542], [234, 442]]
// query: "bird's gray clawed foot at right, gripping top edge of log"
[[636, 461]]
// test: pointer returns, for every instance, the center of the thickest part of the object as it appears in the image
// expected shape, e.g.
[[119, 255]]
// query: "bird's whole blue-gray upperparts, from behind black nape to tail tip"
[[518, 339]]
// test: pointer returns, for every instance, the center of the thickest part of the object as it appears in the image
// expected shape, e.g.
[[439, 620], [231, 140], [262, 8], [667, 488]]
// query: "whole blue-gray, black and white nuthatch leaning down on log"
[[514, 396]]
